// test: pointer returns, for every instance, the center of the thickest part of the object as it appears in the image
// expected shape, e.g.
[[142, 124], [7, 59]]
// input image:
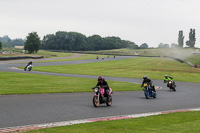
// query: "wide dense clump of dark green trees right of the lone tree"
[[74, 41]]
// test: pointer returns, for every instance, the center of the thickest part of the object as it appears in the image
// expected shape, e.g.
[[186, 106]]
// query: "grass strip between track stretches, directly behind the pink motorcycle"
[[20, 83]]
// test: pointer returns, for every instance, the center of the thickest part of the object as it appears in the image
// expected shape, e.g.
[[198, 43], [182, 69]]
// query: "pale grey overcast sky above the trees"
[[140, 21]]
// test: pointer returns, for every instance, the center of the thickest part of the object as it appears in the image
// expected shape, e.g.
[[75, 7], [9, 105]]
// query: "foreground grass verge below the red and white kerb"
[[166, 123]]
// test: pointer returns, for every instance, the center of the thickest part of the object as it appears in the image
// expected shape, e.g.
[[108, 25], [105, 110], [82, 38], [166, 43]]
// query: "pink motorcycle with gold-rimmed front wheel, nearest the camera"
[[99, 96]]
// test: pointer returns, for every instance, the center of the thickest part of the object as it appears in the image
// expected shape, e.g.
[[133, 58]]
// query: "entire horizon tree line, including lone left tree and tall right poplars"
[[74, 41]]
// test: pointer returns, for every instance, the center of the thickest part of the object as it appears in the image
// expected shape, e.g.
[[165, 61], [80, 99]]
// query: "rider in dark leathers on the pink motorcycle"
[[102, 83]]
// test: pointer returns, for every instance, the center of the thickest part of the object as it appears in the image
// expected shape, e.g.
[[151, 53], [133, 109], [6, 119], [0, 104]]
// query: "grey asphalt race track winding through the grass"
[[19, 110]]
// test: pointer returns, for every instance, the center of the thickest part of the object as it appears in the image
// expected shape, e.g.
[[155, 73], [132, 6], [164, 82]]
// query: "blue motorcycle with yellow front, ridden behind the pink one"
[[148, 92]]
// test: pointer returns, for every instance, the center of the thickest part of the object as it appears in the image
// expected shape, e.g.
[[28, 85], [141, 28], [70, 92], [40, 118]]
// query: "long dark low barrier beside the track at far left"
[[21, 57]]
